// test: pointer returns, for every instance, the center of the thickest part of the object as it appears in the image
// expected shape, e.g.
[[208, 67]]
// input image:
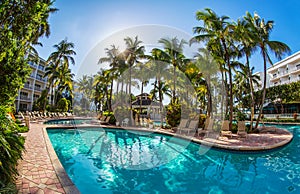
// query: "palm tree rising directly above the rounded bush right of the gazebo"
[[173, 54]]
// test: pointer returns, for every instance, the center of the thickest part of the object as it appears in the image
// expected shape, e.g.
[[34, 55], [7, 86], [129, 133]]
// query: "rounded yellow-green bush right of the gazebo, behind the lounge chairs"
[[173, 113]]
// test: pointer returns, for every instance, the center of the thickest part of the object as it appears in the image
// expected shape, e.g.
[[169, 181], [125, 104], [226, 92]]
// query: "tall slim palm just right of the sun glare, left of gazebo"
[[134, 51]]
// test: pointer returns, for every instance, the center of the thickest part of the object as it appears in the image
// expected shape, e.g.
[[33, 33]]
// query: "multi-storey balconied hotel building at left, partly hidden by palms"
[[33, 87]]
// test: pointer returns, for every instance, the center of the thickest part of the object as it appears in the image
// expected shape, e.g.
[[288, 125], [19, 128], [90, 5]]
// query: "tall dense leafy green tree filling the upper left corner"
[[22, 23]]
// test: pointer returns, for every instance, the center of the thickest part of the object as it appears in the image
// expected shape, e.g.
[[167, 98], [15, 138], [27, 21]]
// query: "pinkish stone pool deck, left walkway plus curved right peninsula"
[[41, 172]]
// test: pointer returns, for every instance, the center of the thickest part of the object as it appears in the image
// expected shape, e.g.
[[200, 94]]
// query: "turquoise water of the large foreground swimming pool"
[[119, 161]]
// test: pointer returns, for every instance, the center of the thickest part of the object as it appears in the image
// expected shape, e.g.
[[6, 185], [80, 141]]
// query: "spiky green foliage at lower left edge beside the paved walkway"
[[11, 147]]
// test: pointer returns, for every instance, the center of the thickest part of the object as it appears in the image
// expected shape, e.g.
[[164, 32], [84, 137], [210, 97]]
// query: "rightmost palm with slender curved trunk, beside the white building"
[[261, 38]]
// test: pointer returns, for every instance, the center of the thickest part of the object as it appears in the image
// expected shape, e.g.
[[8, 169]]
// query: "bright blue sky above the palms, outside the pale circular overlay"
[[87, 23]]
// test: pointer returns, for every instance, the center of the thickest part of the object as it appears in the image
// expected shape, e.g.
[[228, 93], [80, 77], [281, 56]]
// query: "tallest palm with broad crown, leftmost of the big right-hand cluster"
[[217, 33]]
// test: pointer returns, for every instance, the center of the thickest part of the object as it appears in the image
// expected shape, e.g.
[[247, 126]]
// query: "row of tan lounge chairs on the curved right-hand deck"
[[187, 126]]
